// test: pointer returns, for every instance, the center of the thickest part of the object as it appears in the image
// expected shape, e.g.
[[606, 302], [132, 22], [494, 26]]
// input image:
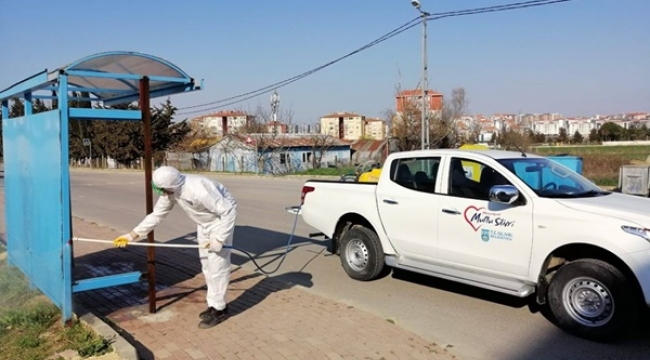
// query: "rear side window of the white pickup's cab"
[[417, 174]]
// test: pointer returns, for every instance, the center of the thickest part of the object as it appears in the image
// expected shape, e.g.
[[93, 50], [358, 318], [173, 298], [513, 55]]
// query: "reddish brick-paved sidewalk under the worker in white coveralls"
[[269, 318]]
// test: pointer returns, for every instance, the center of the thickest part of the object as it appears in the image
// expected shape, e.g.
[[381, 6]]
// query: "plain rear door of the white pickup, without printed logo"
[[408, 205]]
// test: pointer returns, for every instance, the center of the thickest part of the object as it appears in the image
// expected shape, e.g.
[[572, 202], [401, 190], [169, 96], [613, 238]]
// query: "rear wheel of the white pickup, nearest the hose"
[[361, 254]]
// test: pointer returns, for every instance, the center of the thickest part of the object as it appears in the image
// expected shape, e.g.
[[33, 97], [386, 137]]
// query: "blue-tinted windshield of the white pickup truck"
[[551, 179]]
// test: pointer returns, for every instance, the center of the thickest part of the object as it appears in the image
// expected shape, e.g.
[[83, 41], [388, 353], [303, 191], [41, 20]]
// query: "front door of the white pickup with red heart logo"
[[475, 232]]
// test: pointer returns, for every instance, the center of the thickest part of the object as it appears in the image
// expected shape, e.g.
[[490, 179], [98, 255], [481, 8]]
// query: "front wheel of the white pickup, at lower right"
[[592, 299]]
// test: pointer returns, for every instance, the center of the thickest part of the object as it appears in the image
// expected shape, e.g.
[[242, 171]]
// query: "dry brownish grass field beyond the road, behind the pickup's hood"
[[601, 164]]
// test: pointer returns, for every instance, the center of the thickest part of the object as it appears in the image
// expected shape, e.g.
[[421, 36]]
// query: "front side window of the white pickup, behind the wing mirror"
[[472, 180]]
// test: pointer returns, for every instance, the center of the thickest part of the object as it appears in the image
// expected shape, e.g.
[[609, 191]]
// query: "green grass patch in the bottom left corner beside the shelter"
[[31, 326]]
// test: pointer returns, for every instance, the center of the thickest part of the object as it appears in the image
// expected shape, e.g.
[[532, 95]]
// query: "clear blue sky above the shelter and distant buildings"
[[577, 58]]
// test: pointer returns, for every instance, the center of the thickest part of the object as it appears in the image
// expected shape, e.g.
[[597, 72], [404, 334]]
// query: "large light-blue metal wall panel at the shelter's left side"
[[33, 200]]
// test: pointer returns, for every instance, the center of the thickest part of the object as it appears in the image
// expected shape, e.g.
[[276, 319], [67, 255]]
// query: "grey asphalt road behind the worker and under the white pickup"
[[471, 323]]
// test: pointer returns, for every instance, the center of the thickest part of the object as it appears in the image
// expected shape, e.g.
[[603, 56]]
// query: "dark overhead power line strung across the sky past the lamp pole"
[[412, 23]]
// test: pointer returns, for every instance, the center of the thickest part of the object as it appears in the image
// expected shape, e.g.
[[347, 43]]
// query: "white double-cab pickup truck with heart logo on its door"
[[511, 222]]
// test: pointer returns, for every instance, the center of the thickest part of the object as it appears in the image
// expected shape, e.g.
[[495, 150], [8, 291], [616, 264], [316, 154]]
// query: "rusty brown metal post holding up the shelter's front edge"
[[146, 127]]
